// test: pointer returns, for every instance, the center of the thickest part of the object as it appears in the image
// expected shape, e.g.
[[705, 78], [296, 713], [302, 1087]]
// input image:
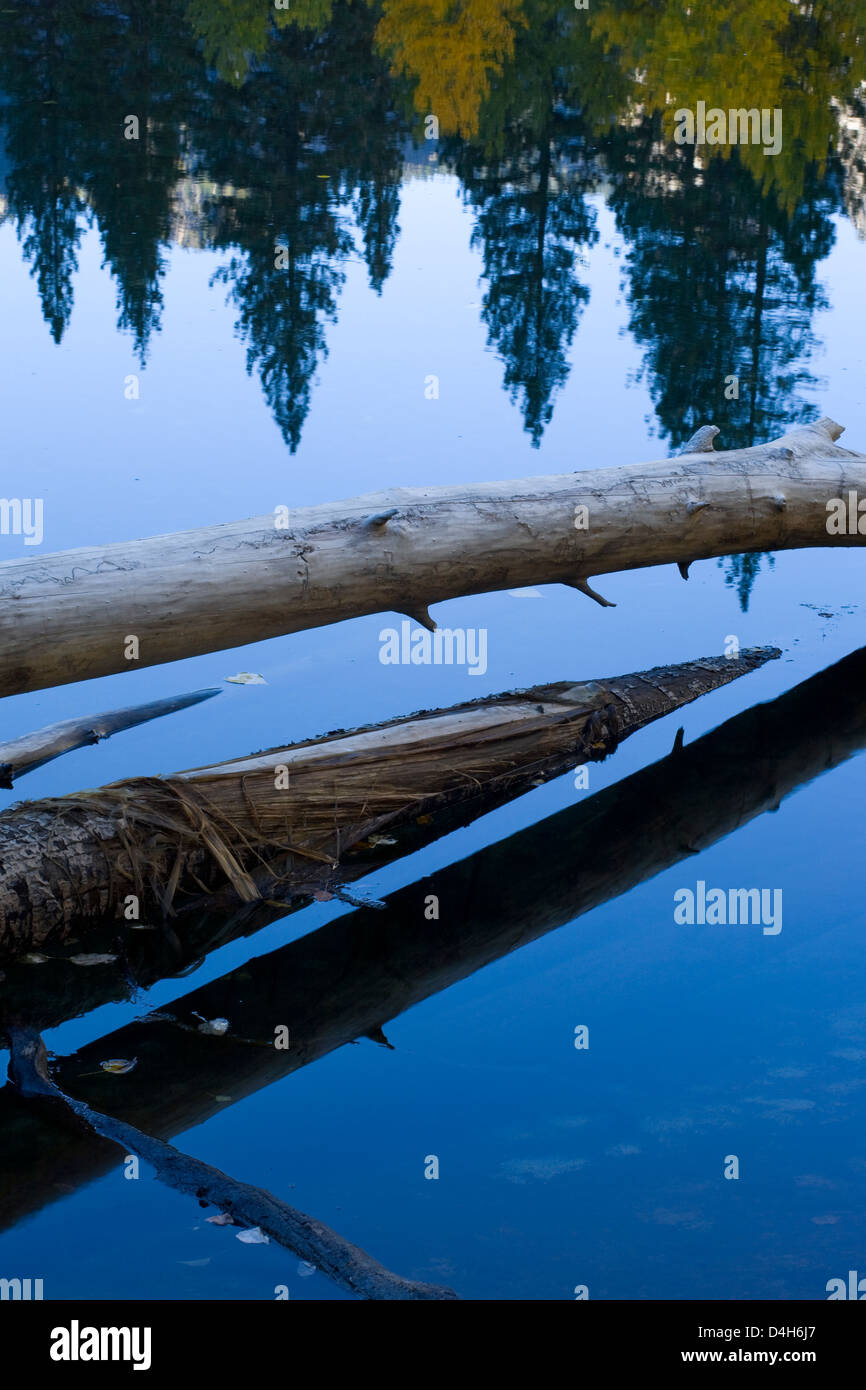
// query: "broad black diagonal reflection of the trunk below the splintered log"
[[350, 978]]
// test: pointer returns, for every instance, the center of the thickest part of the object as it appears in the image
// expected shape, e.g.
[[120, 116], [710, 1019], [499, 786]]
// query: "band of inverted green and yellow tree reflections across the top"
[[287, 120]]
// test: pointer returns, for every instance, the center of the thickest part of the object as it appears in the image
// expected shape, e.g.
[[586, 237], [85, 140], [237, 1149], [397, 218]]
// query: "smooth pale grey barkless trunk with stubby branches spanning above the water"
[[72, 616]]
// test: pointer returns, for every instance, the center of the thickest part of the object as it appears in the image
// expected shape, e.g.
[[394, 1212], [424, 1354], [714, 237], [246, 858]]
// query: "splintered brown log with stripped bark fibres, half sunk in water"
[[283, 821]]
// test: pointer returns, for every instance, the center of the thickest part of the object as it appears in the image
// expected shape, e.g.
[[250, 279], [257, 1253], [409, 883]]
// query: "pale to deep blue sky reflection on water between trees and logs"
[[557, 1167]]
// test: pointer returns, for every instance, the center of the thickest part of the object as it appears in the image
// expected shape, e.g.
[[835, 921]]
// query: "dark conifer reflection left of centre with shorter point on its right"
[[311, 133]]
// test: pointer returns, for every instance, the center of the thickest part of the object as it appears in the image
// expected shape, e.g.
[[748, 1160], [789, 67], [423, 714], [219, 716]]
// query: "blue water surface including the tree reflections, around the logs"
[[537, 281]]
